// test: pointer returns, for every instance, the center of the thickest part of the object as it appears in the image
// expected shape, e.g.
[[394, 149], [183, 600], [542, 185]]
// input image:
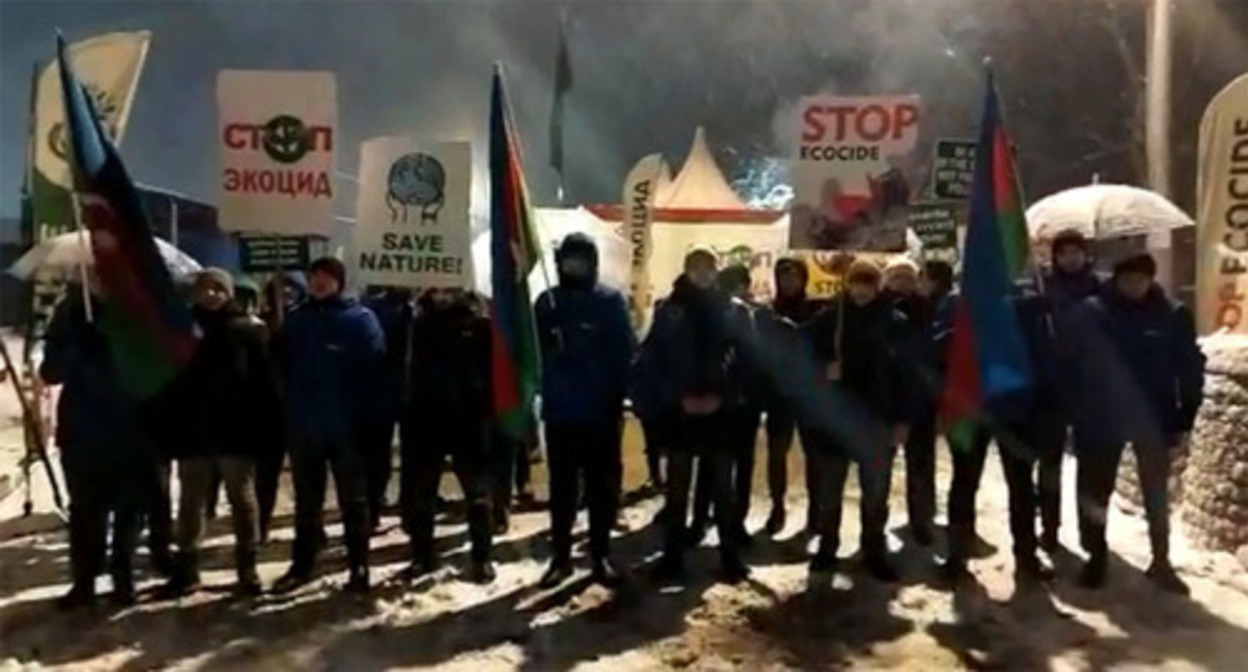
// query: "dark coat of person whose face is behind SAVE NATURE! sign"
[[450, 375]]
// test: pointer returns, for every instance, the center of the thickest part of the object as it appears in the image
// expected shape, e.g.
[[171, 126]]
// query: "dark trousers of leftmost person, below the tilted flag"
[[102, 492]]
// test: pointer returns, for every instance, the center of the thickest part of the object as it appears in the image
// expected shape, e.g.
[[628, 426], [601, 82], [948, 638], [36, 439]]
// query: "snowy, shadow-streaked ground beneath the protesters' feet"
[[778, 621]]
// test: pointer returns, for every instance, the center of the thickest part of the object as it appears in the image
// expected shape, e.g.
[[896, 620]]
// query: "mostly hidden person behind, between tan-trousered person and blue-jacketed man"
[[284, 294]]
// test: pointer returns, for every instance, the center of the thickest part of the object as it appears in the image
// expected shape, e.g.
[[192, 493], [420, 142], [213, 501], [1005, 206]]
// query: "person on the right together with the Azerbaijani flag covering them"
[[1000, 357]]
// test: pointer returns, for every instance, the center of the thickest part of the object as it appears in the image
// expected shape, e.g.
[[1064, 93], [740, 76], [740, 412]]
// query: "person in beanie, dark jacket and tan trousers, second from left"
[[214, 419]]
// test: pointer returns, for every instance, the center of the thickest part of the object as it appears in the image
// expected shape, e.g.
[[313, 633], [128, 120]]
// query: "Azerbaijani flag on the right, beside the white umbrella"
[[988, 354]]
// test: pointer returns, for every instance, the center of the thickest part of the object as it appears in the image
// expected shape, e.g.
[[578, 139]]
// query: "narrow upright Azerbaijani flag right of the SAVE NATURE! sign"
[[514, 253]]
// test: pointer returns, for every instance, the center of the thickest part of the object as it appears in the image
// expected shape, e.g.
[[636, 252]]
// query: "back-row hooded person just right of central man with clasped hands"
[[783, 357]]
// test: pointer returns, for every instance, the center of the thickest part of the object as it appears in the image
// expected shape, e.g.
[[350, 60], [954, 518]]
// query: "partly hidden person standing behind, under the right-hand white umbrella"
[[1070, 280]]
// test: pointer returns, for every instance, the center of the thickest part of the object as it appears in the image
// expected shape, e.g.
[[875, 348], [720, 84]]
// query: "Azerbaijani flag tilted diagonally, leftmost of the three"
[[148, 327]]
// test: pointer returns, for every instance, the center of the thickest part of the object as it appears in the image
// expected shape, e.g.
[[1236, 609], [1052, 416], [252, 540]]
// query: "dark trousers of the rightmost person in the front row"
[[1095, 480]]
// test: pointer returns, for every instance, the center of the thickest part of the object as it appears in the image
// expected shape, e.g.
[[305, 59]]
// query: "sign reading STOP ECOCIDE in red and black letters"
[[851, 173]]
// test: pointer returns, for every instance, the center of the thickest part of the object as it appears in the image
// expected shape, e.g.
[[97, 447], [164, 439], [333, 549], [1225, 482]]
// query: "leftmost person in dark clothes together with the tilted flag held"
[[114, 345]]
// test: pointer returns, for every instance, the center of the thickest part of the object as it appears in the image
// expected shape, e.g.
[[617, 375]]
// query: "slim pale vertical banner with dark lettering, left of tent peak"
[[640, 193]]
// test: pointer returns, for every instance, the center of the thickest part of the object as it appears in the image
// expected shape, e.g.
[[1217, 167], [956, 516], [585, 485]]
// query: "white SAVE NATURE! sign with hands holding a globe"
[[412, 222]]
